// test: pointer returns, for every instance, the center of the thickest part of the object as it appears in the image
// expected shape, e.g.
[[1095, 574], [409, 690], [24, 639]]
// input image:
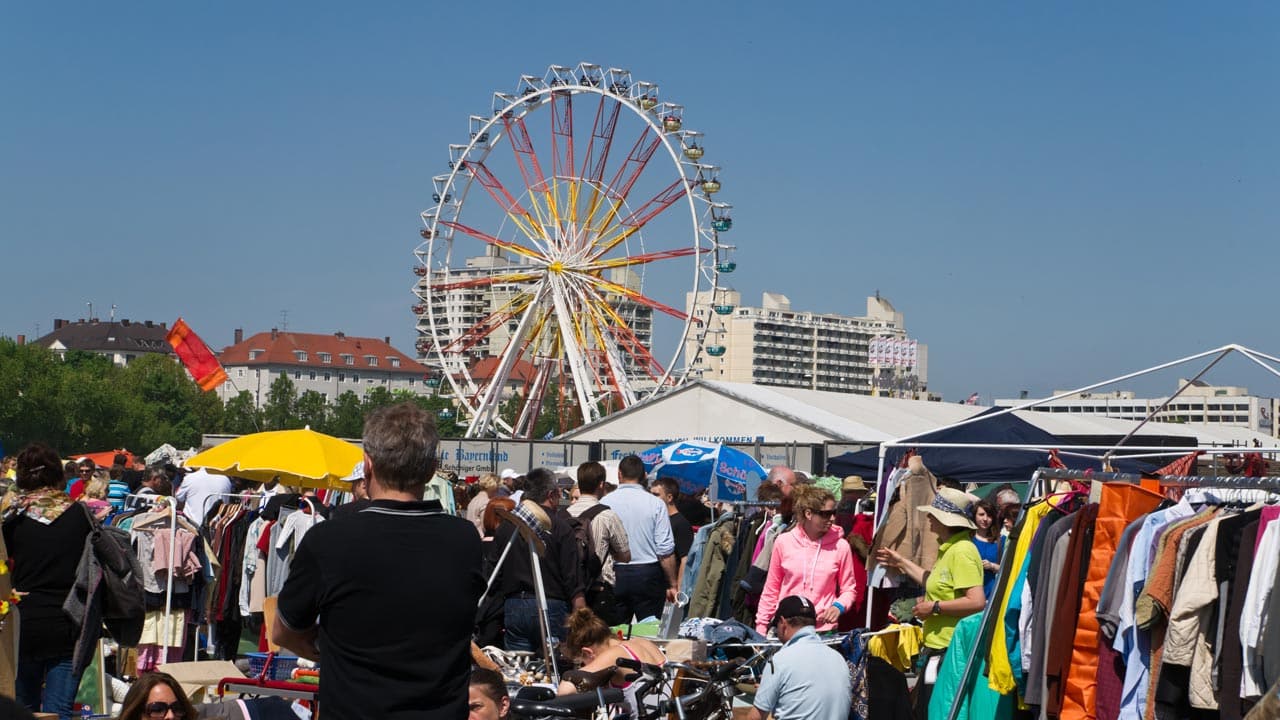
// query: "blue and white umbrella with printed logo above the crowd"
[[698, 466]]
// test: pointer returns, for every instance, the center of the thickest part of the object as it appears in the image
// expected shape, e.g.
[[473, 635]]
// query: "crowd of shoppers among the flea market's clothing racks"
[[386, 594]]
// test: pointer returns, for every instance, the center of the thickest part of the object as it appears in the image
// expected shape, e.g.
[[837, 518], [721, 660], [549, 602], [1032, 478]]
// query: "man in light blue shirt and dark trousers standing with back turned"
[[650, 580]]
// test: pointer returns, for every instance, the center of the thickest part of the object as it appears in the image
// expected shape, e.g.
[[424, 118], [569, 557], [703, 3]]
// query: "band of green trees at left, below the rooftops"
[[84, 403]]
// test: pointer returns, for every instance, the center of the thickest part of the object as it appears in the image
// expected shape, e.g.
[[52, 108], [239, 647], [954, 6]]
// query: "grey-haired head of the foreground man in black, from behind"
[[401, 443]]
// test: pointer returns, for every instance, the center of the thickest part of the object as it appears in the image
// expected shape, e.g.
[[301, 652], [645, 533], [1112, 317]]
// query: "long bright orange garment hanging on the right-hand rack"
[[1121, 504]]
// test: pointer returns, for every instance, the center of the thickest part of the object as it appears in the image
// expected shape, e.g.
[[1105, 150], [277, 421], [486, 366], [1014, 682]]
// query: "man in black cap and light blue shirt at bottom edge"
[[806, 678]]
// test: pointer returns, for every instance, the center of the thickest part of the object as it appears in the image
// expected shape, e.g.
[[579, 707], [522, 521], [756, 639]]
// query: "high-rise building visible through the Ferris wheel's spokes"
[[463, 309]]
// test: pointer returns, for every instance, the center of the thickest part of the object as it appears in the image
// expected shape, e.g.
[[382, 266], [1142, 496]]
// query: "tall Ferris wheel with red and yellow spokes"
[[560, 274]]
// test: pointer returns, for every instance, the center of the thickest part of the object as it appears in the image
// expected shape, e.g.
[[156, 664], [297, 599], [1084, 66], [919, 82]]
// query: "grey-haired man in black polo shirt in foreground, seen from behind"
[[386, 599]]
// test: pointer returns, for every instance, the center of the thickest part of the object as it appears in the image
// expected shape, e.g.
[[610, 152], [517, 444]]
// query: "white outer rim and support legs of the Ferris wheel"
[[707, 247]]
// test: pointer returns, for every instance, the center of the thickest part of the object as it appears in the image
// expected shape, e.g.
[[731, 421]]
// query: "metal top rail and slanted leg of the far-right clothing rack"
[[990, 614]]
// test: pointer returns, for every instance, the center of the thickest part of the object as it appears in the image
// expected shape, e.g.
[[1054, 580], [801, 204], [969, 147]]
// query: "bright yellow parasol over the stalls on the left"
[[299, 458]]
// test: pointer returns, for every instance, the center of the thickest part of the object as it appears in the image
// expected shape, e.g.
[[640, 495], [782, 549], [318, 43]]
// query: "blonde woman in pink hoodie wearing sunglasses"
[[811, 560]]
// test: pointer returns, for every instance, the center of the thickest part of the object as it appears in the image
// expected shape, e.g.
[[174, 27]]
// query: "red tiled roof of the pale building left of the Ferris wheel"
[[282, 349]]
